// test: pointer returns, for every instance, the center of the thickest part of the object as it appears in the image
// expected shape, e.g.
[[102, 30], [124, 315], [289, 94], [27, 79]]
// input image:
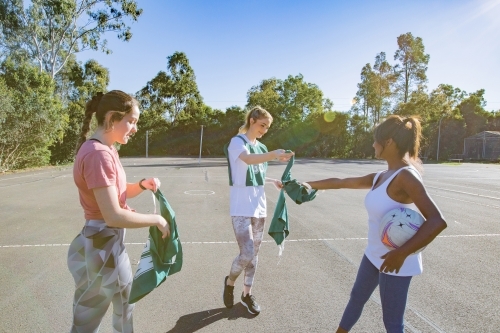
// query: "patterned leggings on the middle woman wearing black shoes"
[[249, 232]]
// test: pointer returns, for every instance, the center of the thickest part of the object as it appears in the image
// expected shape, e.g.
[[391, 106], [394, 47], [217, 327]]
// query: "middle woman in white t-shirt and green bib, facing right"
[[247, 165]]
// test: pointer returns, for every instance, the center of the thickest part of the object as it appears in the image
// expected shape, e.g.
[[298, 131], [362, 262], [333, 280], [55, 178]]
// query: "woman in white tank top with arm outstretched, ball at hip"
[[397, 141]]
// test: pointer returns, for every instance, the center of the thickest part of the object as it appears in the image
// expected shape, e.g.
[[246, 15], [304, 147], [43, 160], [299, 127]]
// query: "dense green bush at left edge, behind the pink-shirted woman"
[[32, 119]]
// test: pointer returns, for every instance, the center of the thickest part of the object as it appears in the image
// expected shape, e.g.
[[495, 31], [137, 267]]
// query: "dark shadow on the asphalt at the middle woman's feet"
[[196, 321]]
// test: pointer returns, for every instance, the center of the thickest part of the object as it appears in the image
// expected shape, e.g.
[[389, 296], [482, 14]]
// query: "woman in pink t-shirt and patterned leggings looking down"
[[97, 258]]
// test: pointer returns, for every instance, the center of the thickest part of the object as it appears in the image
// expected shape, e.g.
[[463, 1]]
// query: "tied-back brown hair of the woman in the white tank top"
[[405, 132]]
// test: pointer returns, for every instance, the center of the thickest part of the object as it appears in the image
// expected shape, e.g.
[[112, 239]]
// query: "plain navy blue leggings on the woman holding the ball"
[[393, 294]]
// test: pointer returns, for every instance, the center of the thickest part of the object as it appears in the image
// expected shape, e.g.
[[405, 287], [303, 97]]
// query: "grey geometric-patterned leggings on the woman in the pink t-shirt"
[[100, 265]]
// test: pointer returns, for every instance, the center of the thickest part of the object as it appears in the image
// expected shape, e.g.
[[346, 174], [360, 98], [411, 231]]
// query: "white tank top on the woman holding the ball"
[[378, 203]]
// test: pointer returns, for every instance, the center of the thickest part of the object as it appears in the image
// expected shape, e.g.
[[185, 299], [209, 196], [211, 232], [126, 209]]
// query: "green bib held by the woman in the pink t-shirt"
[[160, 257]]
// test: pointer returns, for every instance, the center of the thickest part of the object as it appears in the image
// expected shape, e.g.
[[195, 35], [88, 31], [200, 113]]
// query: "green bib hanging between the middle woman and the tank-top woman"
[[279, 228]]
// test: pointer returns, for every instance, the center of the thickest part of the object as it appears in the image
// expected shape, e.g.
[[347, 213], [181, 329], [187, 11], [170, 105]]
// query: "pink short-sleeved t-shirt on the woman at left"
[[97, 165]]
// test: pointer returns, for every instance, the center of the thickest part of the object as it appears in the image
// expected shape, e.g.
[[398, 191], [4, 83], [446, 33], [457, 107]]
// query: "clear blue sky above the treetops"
[[234, 45]]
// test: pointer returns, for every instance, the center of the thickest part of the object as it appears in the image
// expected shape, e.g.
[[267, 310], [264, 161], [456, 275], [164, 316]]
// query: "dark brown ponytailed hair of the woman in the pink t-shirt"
[[115, 101]]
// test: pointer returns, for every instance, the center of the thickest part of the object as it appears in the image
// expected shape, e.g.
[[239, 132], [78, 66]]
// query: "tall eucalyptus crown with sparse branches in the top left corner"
[[49, 32]]
